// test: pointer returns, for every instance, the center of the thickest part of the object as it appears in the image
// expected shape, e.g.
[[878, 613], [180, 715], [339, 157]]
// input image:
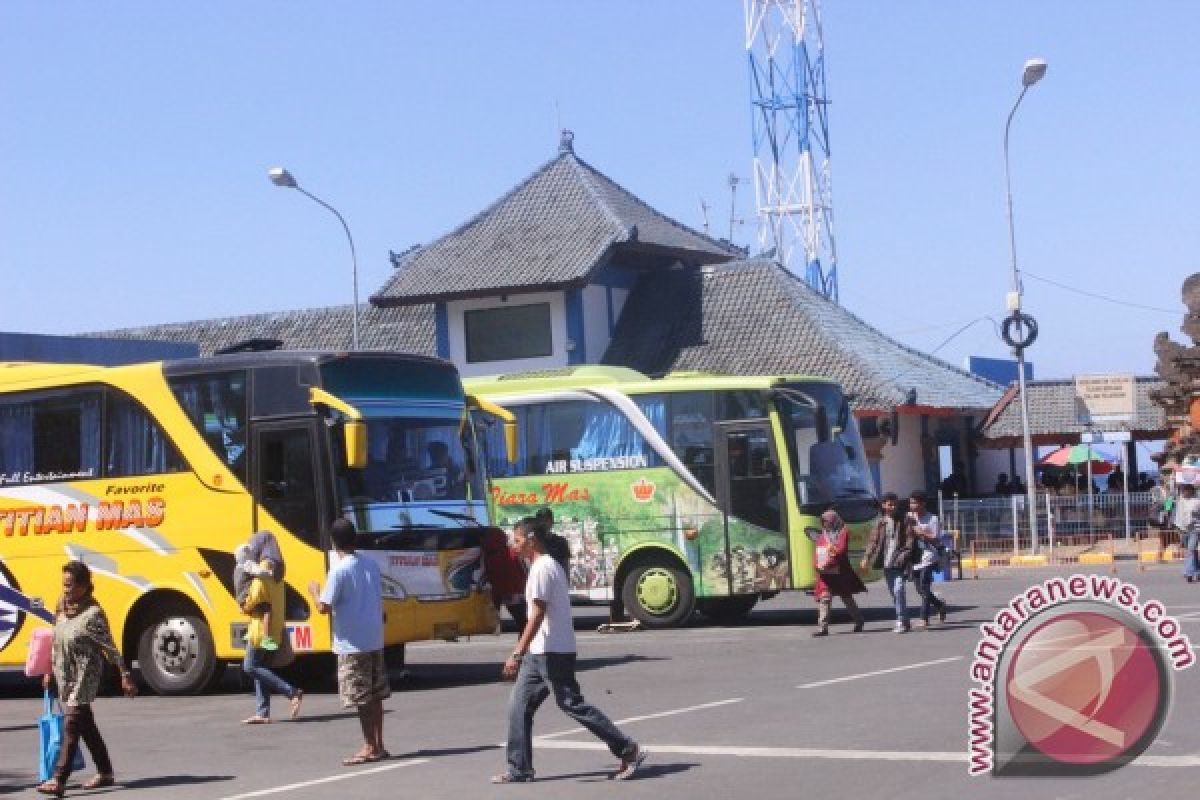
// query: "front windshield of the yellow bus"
[[416, 468]]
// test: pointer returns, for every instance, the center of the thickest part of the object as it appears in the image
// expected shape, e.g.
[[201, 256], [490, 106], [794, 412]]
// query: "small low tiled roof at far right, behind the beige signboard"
[[1053, 413]]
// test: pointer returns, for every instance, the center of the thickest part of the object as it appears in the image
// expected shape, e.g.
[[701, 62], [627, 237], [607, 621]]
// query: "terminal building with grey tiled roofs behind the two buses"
[[569, 268]]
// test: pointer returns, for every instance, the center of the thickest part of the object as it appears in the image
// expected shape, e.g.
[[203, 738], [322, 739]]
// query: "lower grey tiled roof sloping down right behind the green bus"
[[754, 317]]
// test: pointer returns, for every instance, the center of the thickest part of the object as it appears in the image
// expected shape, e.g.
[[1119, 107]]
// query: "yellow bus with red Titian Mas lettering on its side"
[[153, 474]]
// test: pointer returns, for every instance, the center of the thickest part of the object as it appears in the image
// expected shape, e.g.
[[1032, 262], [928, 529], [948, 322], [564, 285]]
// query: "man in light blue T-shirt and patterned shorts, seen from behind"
[[353, 594]]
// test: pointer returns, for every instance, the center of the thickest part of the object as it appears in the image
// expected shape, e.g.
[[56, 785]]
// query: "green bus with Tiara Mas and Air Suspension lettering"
[[680, 494]]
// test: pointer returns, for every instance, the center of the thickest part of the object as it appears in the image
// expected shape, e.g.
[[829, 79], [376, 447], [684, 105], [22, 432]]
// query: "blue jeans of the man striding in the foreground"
[[541, 676]]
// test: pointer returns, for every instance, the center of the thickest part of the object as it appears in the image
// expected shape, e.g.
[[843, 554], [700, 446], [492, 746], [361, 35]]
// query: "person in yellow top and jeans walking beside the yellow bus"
[[265, 604]]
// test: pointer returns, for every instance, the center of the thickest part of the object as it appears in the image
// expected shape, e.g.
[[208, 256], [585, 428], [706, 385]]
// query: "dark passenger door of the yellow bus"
[[287, 486]]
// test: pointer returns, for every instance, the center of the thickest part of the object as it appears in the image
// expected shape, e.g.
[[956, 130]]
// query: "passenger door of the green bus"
[[751, 496]]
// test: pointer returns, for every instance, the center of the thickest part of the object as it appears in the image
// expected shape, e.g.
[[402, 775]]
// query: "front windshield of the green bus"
[[826, 450]]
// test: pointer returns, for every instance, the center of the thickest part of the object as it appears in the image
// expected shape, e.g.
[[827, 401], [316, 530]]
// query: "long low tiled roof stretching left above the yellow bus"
[[410, 329]]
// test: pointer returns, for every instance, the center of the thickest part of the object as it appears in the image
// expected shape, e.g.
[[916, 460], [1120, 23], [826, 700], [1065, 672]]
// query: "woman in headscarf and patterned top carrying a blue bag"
[[83, 642]]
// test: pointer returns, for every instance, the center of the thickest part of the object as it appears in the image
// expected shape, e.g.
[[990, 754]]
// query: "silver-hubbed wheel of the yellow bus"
[[176, 652]]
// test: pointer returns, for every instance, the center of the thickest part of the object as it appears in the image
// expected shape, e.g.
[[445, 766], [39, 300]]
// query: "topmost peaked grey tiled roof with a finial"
[[550, 232]]
